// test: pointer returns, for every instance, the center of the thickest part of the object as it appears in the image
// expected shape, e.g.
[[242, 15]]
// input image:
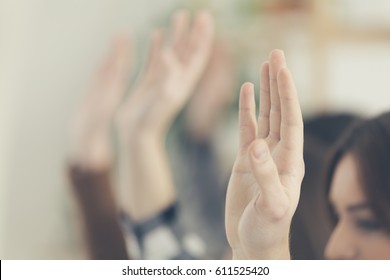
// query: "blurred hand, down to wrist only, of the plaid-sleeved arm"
[[170, 76]]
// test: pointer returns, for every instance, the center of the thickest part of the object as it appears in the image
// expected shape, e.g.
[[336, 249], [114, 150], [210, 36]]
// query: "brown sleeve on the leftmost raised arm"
[[99, 213]]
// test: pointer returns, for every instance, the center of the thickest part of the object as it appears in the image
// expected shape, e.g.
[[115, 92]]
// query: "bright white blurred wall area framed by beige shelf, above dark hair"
[[359, 77]]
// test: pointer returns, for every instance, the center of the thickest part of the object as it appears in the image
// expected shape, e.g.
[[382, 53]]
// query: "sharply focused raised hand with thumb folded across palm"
[[264, 187]]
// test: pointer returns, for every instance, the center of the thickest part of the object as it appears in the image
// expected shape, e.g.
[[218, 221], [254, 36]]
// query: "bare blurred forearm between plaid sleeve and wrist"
[[151, 184]]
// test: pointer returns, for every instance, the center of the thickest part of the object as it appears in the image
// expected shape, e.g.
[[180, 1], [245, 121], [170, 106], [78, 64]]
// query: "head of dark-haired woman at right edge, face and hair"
[[359, 191]]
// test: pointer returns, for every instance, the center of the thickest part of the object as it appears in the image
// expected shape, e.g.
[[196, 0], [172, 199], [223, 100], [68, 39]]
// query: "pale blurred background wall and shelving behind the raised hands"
[[339, 53]]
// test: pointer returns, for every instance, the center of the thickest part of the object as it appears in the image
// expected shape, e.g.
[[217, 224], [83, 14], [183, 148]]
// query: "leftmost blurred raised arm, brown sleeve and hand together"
[[91, 155]]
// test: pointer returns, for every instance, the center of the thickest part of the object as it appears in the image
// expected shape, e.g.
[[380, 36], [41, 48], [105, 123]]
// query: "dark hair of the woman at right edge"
[[368, 142]]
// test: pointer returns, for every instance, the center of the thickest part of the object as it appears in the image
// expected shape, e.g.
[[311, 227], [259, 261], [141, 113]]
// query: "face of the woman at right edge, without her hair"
[[353, 238]]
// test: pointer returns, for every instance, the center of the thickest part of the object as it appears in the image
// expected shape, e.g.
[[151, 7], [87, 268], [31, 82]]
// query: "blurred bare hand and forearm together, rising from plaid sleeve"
[[145, 117]]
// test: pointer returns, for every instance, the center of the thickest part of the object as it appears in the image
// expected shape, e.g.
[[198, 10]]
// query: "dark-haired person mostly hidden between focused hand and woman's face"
[[308, 237]]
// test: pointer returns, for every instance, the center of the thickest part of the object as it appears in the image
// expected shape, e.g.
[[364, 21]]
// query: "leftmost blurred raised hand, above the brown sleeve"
[[90, 128]]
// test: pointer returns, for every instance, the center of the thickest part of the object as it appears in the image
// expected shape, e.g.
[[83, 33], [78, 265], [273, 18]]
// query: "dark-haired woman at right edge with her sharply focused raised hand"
[[264, 187]]
